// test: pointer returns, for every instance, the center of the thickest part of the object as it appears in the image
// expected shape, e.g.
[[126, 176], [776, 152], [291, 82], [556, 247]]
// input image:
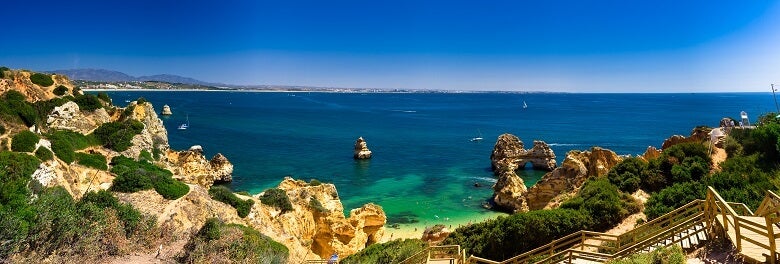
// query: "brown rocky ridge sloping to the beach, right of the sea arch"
[[510, 192]]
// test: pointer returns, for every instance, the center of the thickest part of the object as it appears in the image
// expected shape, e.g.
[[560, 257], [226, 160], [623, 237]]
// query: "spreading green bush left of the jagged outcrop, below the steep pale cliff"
[[133, 176]]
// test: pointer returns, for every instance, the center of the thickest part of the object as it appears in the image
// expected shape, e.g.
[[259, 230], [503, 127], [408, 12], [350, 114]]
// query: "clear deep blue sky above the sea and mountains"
[[568, 46]]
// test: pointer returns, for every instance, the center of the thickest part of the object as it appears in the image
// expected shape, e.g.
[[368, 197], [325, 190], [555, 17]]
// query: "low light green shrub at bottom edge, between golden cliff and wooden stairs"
[[389, 252]]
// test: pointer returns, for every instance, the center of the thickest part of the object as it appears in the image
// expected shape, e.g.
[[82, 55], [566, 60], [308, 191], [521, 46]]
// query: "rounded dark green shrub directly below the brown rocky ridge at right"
[[606, 205]]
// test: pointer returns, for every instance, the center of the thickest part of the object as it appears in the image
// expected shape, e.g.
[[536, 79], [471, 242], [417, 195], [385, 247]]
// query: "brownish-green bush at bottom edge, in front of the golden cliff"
[[217, 242]]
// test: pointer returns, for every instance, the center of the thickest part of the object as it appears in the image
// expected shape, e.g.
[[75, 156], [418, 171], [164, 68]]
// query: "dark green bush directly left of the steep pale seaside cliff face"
[[118, 135]]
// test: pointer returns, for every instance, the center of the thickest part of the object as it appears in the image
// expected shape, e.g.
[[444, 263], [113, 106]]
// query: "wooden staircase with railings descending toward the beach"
[[755, 236]]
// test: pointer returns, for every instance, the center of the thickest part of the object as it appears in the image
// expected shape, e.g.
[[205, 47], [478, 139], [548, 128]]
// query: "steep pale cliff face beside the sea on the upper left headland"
[[153, 136]]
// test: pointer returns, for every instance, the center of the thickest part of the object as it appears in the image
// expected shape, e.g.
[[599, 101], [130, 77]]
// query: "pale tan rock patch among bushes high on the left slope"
[[69, 117]]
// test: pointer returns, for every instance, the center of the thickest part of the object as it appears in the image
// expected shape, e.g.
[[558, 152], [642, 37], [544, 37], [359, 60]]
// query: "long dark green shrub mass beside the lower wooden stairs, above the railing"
[[505, 237]]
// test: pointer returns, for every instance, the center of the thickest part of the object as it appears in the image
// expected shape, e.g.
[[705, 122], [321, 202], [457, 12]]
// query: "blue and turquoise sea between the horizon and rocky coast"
[[424, 166]]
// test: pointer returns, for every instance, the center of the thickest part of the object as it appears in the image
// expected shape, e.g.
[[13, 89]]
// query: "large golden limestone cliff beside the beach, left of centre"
[[307, 232]]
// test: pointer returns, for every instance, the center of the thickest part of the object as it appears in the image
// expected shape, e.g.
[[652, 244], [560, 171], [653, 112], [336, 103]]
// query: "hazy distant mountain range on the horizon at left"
[[101, 75]]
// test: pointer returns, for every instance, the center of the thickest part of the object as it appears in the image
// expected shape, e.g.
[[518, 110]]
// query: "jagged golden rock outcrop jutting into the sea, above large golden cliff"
[[191, 166]]
